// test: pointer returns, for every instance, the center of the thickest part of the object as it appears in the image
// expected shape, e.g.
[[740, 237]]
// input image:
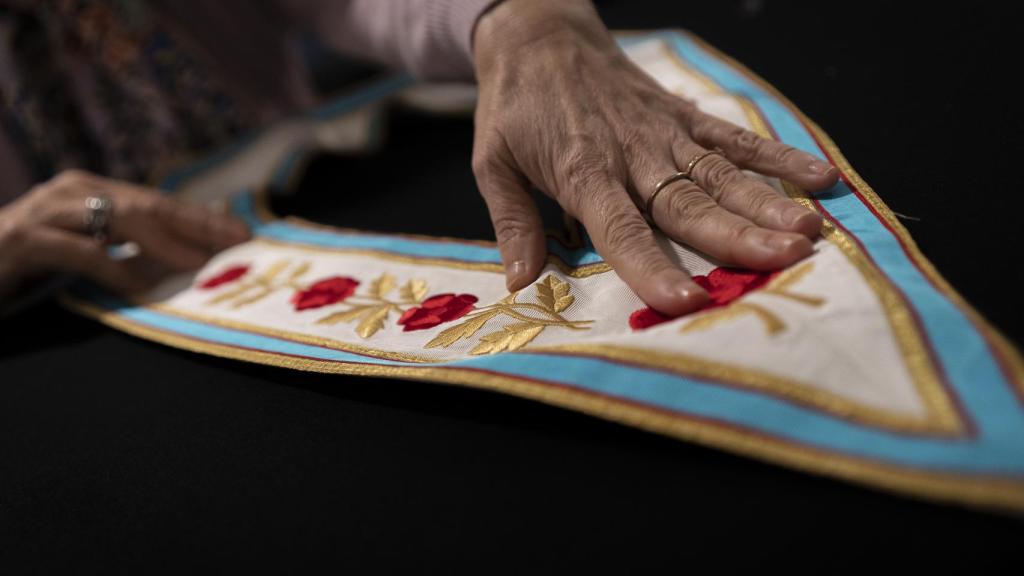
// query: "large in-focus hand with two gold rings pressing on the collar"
[[563, 109]]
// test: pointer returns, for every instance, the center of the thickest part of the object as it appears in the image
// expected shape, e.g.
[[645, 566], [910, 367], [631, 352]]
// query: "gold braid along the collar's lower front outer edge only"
[[979, 490]]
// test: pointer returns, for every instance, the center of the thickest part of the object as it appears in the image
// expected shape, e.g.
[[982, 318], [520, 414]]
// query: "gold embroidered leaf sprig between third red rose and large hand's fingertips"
[[553, 299]]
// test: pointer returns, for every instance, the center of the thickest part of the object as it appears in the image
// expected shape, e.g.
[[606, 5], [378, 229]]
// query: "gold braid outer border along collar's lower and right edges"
[[974, 489]]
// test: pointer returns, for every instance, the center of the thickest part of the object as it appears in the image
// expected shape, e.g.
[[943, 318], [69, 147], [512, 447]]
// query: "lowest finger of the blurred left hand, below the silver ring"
[[57, 250]]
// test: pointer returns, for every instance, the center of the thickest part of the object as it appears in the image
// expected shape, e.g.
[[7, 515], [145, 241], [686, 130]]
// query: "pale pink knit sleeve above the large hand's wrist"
[[429, 38]]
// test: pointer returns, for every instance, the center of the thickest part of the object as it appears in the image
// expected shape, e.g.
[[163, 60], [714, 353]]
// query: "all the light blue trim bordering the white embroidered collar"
[[962, 352]]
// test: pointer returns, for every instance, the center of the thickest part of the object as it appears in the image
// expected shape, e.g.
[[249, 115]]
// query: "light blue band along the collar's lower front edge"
[[691, 396]]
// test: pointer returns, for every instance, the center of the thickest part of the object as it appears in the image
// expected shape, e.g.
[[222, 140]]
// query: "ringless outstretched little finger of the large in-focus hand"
[[772, 158]]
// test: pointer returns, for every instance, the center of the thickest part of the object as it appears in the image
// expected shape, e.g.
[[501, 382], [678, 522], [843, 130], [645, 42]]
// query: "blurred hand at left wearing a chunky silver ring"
[[45, 231]]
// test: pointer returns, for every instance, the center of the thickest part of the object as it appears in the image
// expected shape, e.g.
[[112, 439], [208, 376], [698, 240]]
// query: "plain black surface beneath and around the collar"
[[117, 454]]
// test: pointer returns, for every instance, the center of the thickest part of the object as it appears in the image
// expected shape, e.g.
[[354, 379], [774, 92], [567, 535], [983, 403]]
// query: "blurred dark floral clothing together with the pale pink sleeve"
[[131, 89]]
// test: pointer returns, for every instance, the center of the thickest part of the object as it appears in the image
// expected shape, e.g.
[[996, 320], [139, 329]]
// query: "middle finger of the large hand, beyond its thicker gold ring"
[[687, 214]]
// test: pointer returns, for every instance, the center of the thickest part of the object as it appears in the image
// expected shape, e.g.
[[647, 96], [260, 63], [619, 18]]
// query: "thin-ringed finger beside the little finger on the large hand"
[[745, 196]]
